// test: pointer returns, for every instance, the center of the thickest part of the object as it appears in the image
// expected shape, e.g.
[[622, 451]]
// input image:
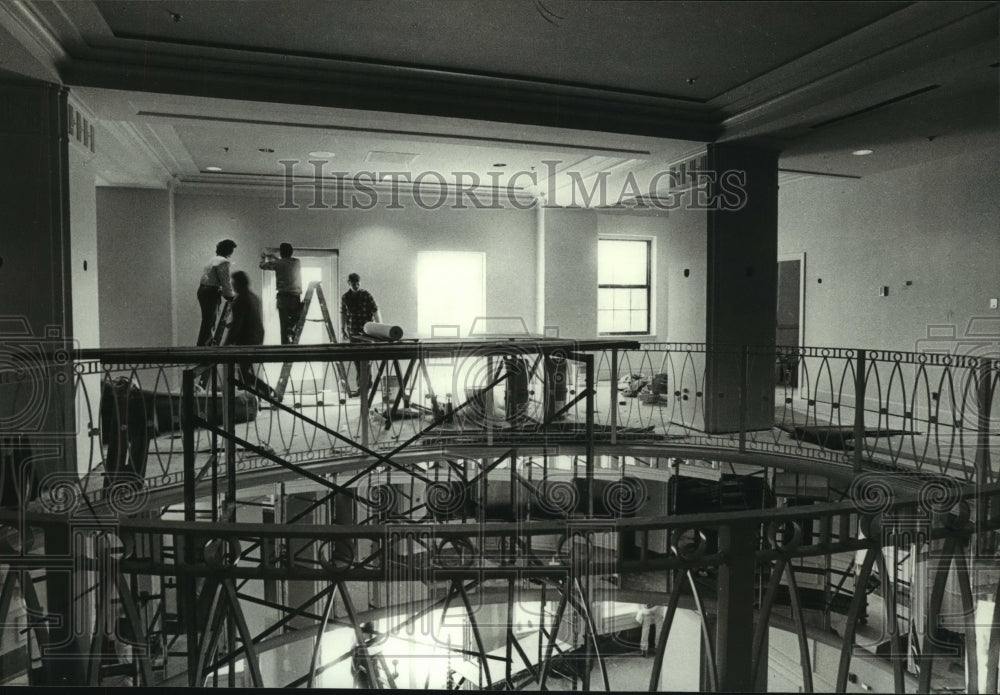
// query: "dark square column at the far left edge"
[[36, 407]]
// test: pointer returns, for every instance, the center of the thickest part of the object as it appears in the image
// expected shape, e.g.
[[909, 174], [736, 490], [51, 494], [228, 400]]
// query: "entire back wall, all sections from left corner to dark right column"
[[381, 244]]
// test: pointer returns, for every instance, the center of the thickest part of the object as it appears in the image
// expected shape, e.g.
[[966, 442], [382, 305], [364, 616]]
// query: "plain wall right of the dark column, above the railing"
[[933, 224]]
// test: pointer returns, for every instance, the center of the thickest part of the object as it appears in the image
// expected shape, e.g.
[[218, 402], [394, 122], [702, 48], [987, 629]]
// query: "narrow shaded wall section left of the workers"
[[133, 252]]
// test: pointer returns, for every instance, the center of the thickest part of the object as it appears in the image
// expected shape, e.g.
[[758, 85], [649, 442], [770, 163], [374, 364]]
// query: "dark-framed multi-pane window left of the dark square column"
[[623, 286]]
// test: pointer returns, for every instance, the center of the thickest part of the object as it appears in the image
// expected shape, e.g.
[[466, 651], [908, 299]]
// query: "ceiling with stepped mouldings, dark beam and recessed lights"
[[463, 85]]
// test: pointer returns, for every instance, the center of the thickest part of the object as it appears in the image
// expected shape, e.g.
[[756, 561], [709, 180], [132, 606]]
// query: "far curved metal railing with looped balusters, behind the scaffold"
[[913, 411]]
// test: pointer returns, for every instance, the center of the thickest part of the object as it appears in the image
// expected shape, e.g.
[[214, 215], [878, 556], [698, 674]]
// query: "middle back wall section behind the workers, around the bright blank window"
[[380, 244]]
